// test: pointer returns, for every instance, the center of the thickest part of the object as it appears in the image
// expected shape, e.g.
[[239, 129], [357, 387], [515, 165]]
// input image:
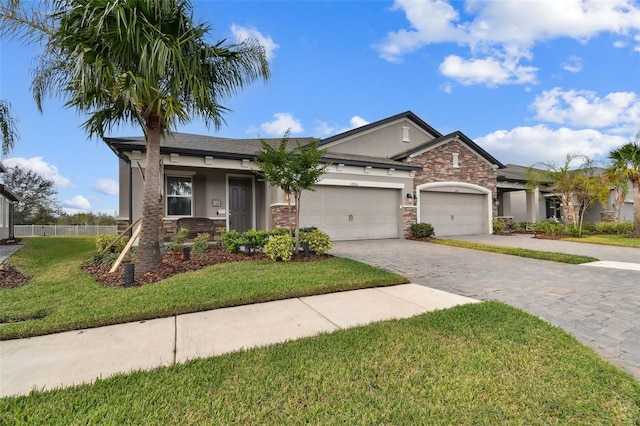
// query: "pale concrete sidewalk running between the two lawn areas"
[[70, 358]]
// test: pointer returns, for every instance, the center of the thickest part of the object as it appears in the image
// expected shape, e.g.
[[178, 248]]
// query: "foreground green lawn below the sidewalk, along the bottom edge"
[[484, 363]]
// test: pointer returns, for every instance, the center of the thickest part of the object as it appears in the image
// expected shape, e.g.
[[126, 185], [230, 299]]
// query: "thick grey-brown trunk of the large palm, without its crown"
[[148, 253]]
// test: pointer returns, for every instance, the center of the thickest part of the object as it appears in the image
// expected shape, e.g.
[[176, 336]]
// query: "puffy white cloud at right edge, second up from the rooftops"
[[580, 108]]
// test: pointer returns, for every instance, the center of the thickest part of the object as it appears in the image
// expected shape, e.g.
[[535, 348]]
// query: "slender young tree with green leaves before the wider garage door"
[[293, 171]]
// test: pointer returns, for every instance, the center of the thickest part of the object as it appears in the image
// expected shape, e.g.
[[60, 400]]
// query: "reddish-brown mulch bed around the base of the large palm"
[[173, 264]]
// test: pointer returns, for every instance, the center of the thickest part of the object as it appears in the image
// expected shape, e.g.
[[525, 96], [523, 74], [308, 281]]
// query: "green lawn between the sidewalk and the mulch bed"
[[60, 296]]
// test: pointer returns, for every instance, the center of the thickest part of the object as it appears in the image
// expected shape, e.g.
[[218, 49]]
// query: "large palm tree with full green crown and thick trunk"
[[144, 62]]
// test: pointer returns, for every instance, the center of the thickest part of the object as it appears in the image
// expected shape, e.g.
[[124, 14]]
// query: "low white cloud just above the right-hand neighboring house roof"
[[529, 145]]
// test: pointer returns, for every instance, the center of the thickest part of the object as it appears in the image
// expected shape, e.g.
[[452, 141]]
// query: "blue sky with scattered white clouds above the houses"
[[528, 80]]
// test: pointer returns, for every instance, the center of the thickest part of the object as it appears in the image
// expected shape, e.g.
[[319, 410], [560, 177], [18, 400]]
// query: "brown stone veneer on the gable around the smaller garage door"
[[437, 166]]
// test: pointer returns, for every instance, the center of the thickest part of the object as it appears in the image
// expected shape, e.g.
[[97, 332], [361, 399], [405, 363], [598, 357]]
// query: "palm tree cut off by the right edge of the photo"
[[625, 163]]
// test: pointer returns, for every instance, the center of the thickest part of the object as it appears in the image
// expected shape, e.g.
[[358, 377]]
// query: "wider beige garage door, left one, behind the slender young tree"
[[348, 213]]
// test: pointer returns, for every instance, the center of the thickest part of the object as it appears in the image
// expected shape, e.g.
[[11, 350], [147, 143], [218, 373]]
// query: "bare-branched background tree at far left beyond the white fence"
[[36, 197]]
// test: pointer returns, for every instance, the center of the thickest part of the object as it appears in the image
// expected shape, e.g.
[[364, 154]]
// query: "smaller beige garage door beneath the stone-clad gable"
[[454, 213]]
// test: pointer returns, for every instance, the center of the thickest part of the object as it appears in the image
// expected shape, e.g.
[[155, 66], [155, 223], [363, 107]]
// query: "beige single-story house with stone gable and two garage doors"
[[381, 178]]
